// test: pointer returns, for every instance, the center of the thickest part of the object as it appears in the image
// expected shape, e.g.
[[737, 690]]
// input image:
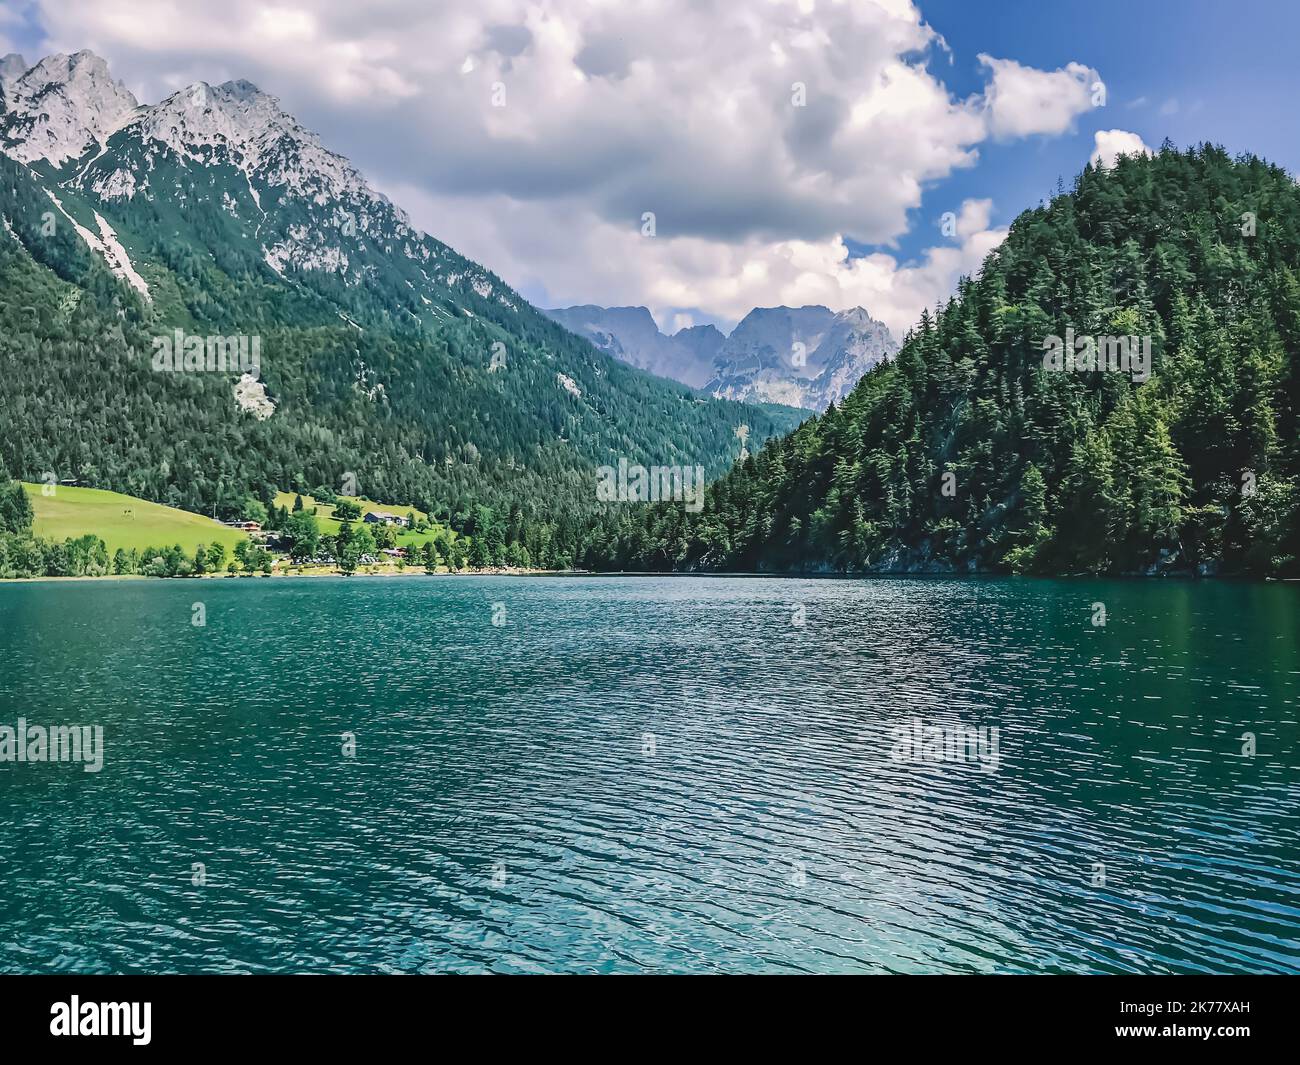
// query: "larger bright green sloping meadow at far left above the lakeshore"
[[123, 521]]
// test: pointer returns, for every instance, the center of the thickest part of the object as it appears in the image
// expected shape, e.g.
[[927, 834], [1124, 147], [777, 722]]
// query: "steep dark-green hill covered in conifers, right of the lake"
[[1171, 445]]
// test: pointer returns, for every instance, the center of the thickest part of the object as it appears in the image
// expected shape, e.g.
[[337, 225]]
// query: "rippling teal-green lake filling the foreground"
[[655, 774]]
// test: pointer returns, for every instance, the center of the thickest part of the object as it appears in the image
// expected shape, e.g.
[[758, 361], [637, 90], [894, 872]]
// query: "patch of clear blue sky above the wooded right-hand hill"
[[1191, 71]]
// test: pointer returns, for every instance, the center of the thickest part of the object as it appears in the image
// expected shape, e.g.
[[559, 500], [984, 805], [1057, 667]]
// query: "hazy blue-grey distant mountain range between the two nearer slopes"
[[799, 357]]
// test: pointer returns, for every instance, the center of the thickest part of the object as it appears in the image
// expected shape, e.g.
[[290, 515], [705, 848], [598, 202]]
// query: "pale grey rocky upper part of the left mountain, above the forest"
[[229, 149]]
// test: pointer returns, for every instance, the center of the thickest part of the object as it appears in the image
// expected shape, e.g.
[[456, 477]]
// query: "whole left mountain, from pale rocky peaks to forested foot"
[[384, 354]]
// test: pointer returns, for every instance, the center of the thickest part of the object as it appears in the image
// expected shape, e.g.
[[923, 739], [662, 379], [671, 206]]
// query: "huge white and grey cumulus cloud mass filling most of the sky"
[[535, 136]]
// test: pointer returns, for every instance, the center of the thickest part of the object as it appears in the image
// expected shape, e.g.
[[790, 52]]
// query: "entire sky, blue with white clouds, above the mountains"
[[704, 158]]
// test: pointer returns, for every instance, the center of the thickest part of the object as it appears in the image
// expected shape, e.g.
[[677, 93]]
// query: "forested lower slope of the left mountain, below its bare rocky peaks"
[[408, 404]]
